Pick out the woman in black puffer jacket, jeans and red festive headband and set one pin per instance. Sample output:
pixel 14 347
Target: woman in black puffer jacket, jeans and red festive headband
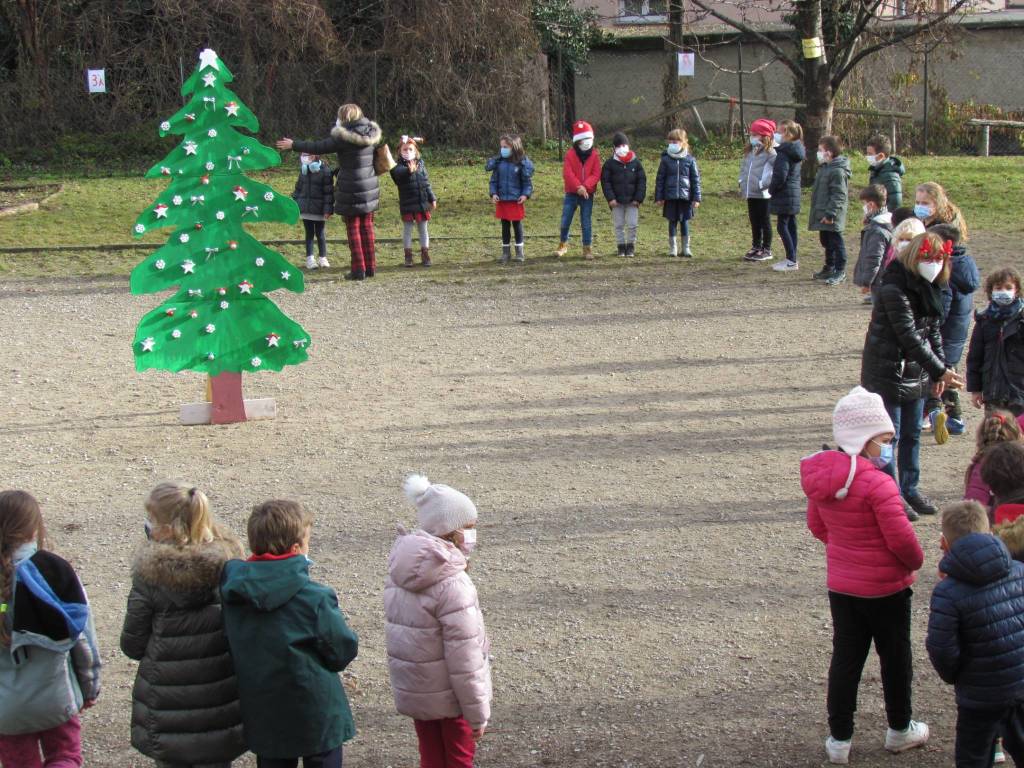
pixel 903 360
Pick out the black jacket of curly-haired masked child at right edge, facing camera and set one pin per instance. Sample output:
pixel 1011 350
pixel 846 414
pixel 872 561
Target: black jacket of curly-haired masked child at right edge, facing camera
pixel 996 360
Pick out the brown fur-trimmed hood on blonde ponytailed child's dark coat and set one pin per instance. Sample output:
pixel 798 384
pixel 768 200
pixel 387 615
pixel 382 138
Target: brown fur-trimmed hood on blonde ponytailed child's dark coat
pixel 188 570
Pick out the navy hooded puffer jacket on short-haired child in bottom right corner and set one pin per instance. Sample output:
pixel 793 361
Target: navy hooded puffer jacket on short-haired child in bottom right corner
pixel 975 636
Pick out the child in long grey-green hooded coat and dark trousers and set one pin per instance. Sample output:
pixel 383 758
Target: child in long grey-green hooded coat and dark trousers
pixel 830 200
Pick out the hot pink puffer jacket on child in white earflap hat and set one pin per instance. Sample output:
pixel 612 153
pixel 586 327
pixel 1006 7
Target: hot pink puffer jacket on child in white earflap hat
pixel 871 547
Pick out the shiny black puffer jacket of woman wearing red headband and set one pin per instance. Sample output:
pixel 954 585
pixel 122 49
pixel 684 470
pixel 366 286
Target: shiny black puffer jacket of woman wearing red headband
pixel 904 349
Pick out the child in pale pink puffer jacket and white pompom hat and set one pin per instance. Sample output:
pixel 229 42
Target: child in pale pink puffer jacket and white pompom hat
pixel 437 646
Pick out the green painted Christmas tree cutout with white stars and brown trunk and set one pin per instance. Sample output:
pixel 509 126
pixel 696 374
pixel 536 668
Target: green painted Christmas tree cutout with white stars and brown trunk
pixel 219 321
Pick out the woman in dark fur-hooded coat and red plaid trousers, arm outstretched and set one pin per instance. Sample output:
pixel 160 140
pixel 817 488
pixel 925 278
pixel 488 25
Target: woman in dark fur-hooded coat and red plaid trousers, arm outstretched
pixel 358 192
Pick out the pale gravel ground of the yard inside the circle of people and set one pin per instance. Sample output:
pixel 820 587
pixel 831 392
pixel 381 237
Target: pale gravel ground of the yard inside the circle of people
pixel 631 439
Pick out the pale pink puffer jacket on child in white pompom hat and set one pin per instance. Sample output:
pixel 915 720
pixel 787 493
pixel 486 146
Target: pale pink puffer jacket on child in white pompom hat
pixel 437 646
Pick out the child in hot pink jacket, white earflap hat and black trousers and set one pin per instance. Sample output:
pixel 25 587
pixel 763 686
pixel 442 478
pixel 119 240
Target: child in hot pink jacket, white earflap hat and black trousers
pixel 872 552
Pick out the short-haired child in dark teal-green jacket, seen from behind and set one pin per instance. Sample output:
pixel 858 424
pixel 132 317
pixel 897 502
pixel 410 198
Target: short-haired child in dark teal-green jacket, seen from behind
pixel 289 642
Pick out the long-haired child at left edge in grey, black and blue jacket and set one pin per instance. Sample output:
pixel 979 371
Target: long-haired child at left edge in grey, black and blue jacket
pixel 50 663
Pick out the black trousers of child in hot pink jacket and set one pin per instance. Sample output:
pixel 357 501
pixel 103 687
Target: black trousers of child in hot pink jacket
pixel 857 622
